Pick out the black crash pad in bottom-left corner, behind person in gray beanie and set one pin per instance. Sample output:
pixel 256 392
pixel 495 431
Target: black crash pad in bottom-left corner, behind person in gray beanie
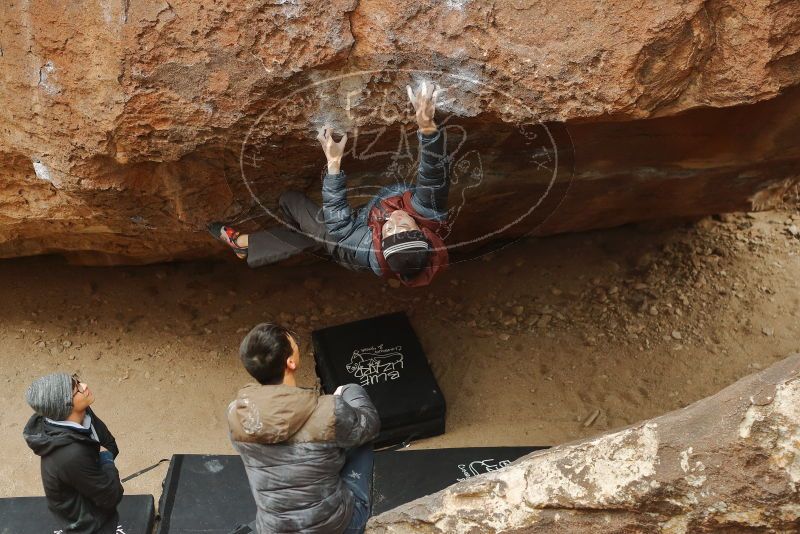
pixel 29 515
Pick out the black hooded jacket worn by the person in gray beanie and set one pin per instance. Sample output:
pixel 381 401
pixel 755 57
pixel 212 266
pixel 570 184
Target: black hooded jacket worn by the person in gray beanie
pixel 80 489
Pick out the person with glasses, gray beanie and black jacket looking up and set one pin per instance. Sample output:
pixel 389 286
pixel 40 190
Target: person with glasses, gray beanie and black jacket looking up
pixel 77 451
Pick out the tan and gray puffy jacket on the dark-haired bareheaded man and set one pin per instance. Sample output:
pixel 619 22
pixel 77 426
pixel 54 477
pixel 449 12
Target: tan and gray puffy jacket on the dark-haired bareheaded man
pixel 292 442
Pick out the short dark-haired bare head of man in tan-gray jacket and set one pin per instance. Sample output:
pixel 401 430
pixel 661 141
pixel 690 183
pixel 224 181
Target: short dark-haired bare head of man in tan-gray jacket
pixel 264 351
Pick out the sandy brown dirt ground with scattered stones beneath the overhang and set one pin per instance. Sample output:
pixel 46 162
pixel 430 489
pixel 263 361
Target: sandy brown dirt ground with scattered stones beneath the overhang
pixel 529 345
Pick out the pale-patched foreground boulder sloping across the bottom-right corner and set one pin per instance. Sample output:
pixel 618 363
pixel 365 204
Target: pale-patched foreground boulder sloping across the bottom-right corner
pixel 728 463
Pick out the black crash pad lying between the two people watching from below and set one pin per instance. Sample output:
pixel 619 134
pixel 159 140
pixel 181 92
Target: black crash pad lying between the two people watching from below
pixel 205 493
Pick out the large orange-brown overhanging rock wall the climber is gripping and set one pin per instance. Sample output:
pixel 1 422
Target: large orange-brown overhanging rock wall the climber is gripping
pixel 126 126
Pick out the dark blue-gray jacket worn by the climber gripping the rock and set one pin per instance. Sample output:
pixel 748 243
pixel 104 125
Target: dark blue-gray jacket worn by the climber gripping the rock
pixel 351 229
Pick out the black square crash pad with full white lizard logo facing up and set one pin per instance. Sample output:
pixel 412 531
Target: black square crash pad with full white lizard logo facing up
pixel 384 355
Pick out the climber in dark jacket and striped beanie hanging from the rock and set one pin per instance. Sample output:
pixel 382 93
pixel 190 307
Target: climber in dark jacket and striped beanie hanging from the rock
pixel 396 234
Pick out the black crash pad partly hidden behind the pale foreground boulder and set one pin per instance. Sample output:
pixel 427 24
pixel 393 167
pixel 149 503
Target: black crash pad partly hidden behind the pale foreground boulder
pixel 402 476
